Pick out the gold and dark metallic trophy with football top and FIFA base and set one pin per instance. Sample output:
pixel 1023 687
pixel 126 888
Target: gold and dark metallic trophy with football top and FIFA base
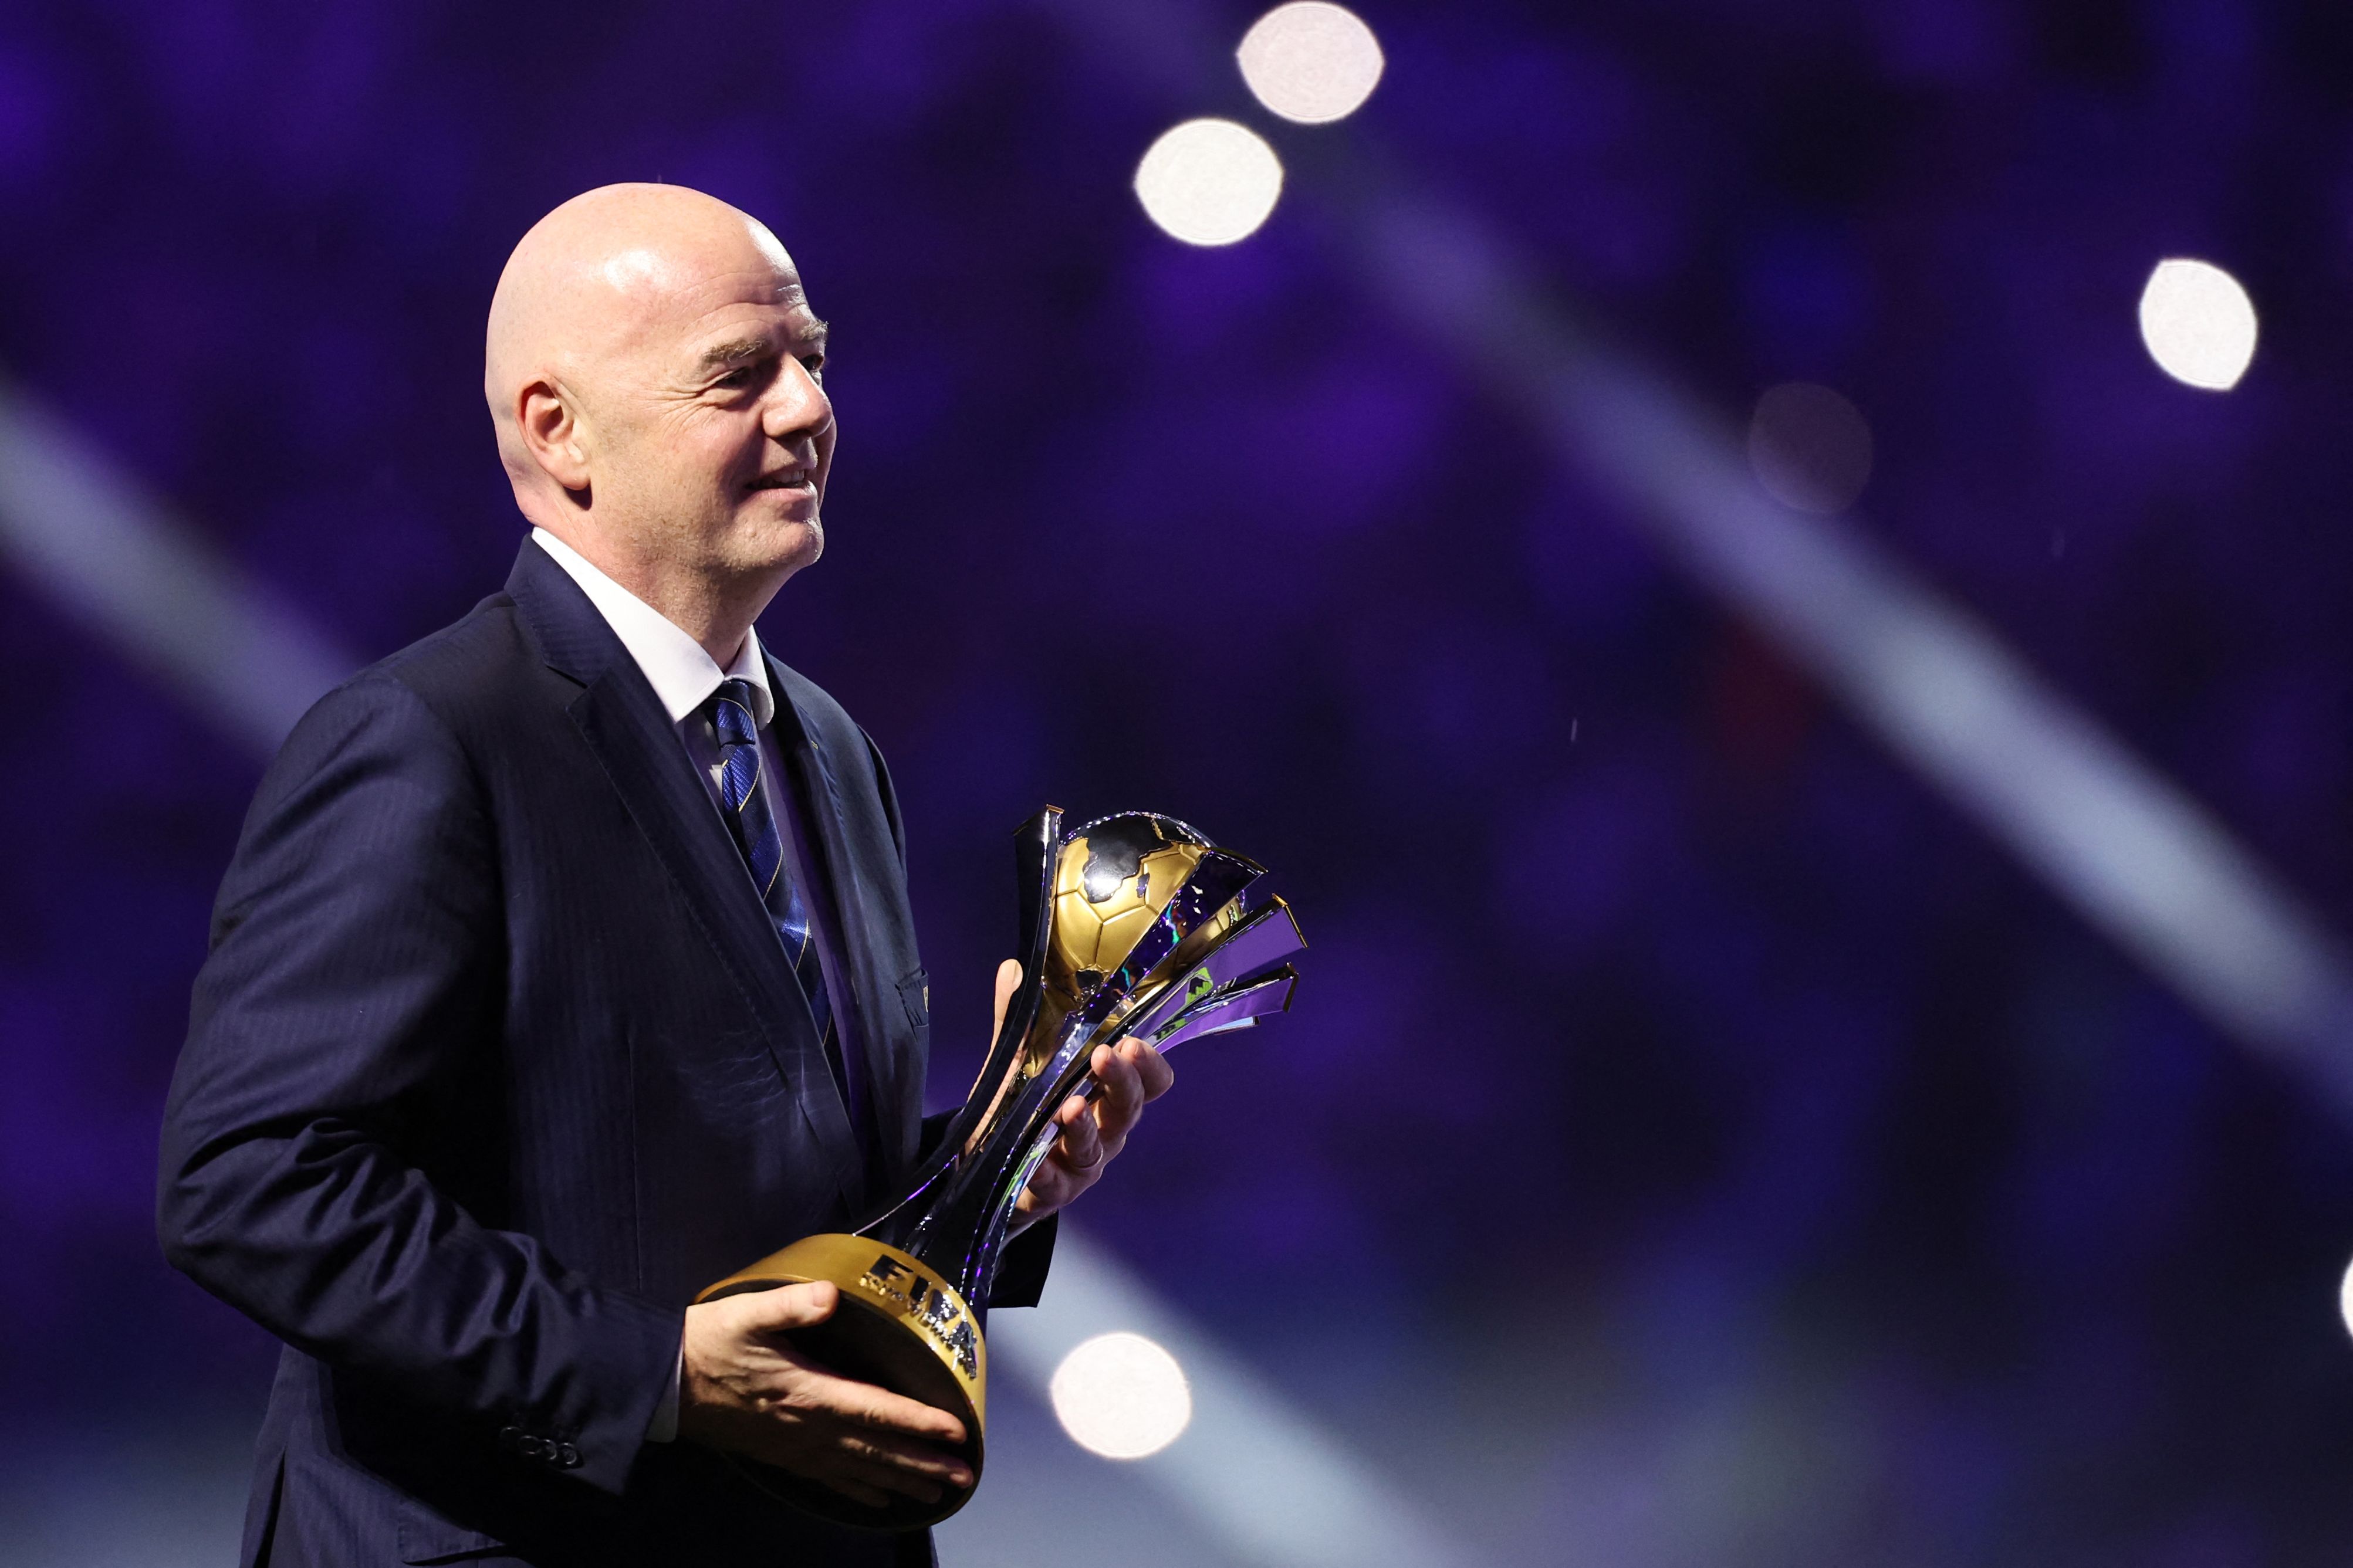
pixel 1133 927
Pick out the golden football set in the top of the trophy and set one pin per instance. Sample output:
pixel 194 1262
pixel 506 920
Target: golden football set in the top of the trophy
pixel 1114 880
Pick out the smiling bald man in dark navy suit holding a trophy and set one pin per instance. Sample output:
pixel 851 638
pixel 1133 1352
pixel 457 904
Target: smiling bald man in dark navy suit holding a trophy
pixel 566 967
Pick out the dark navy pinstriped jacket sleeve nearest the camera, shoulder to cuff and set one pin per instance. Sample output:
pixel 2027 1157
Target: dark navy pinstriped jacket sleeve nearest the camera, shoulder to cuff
pixel 356 974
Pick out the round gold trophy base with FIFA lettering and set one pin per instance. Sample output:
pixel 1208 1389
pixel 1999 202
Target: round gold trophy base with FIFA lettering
pixel 900 1327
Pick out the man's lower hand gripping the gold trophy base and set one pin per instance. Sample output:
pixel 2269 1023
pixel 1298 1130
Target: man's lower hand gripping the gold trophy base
pixel 747 1391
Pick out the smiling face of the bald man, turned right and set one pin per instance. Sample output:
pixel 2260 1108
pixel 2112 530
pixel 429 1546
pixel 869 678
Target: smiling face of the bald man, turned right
pixel 712 429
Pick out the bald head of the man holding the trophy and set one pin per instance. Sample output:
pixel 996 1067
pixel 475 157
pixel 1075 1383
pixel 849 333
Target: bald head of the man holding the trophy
pixel 655 382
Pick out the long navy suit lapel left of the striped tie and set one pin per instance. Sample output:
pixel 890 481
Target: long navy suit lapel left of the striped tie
pixel 632 737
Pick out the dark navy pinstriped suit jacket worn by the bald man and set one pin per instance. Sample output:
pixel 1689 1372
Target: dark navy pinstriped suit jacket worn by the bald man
pixel 493 1066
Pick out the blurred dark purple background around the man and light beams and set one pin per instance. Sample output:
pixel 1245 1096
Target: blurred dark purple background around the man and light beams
pixel 1695 1141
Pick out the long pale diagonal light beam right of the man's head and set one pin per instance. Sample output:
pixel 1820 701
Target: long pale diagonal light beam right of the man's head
pixel 2124 845
